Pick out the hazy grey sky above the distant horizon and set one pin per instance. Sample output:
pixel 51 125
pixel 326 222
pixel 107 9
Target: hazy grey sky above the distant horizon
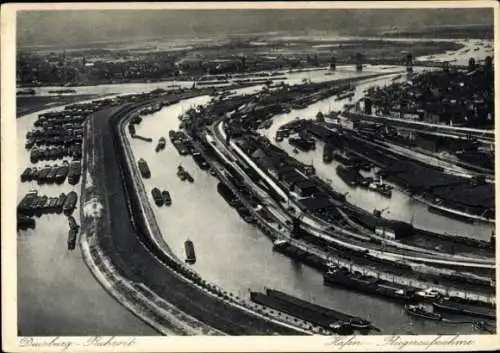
pixel 81 27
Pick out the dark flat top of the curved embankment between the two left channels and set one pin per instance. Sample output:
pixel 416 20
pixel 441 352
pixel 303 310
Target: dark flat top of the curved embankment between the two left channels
pixel 137 263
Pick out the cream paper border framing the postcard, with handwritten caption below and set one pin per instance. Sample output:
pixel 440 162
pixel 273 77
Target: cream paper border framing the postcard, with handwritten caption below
pixel 11 342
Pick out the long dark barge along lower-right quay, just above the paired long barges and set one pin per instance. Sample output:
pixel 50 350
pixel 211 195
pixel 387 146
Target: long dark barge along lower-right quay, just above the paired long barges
pixel 341 277
